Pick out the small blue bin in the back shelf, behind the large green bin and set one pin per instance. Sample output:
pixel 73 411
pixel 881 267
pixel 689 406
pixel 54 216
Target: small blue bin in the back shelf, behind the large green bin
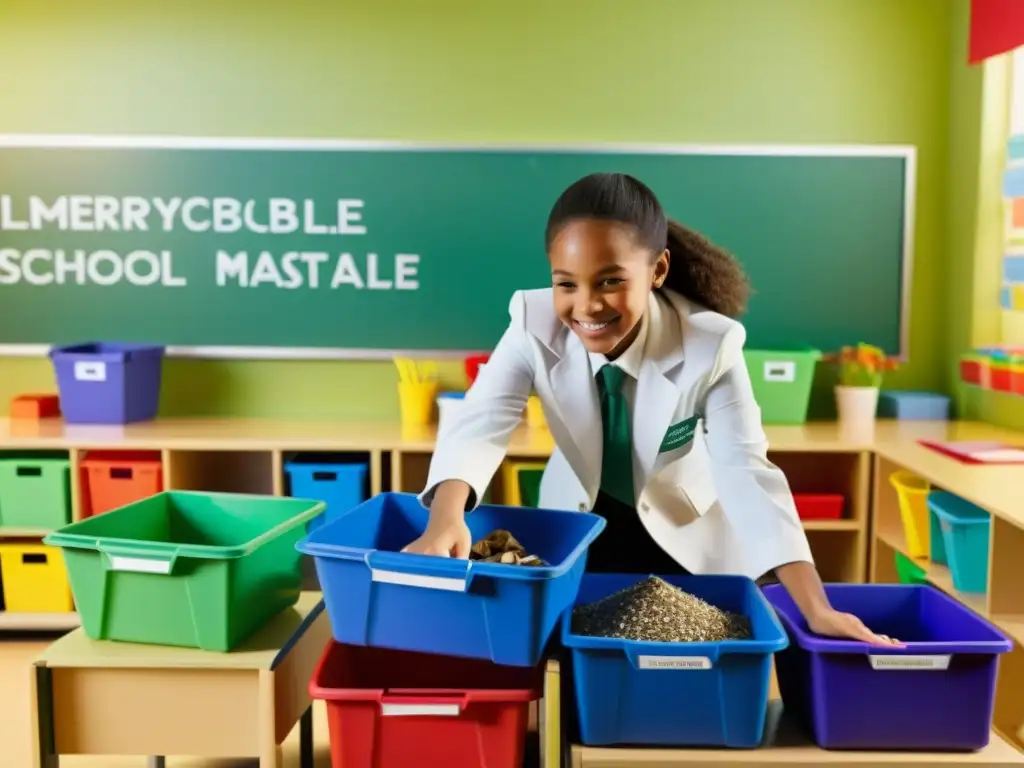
pixel 342 486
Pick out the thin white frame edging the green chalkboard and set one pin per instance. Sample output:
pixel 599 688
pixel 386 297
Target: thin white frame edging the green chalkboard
pixel 907 153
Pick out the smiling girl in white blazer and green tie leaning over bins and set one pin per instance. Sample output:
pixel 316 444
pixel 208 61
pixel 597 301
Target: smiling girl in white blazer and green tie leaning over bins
pixel 637 360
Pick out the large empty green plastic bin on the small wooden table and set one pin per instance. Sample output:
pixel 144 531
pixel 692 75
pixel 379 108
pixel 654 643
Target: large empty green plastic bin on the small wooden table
pixel 186 569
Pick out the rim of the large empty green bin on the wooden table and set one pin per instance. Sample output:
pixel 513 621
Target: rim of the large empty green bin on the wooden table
pixel 67 537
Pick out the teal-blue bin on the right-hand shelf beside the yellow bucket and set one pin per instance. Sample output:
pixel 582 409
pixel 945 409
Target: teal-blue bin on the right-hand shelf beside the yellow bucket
pixel 965 535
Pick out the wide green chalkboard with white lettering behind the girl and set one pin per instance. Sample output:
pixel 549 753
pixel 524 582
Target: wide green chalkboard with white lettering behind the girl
pixel 337 249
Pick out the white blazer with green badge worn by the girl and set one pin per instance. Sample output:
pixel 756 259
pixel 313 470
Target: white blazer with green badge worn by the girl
pixel 706 491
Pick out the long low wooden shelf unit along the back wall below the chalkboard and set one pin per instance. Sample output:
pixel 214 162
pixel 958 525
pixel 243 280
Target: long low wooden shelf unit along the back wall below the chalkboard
pixel 249 456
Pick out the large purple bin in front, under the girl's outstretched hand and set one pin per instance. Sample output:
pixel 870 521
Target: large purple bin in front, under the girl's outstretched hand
pixel 935 695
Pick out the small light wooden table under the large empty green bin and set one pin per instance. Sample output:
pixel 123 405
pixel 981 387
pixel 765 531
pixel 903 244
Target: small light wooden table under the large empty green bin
pixel 102 698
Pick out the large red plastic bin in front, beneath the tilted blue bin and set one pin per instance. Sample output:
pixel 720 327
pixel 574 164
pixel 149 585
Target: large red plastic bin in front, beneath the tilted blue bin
pixel 389 709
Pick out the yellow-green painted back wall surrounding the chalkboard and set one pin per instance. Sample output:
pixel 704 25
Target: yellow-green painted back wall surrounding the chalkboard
pixel 817 71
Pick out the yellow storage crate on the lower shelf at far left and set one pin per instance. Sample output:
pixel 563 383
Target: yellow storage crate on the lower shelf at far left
pixel 34 579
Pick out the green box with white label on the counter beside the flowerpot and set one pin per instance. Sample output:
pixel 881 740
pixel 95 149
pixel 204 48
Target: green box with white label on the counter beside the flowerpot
pixel 783 382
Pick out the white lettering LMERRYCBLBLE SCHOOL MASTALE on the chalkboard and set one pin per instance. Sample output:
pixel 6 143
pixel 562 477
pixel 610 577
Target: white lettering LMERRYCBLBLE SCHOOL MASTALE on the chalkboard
pixel 295 266
